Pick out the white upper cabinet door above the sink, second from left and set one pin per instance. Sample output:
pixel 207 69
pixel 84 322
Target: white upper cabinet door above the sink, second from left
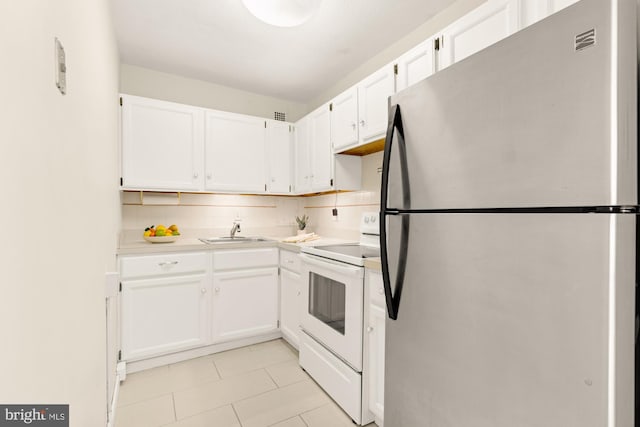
pixel 235 153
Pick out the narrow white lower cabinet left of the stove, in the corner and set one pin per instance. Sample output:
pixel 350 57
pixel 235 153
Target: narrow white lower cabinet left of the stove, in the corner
pixel 290 301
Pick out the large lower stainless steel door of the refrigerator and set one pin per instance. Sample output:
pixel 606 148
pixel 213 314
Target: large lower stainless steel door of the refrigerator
pixel 510 320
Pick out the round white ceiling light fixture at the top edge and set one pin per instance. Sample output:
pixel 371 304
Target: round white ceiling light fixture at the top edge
pixel 282 13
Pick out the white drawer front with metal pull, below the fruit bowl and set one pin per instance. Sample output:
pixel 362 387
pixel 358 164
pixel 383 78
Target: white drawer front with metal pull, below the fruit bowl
pixel 154 265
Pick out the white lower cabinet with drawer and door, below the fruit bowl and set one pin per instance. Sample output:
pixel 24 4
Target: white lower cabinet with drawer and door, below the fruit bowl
pixel 164 309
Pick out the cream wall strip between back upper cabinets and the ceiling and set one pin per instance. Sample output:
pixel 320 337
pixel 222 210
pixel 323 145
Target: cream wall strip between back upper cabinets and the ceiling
pixel 140 81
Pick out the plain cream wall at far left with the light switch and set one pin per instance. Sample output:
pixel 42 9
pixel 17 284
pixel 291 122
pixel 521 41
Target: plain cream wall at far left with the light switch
pixel 60 211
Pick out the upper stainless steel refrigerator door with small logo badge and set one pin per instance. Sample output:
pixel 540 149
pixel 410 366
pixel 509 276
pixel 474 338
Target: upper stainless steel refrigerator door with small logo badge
pixel 536 120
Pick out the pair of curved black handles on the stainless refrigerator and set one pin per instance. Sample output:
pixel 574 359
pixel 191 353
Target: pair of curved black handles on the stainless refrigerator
pixel 392 296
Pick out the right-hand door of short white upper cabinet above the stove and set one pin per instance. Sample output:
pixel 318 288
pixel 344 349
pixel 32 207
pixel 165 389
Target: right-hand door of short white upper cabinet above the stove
pixel 373 105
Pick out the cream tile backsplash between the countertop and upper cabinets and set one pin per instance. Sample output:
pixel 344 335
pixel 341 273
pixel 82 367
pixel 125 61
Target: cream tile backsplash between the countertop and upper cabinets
pixel 259 215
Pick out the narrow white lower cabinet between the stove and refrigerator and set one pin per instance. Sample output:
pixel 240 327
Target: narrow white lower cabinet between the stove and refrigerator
pixel 374 336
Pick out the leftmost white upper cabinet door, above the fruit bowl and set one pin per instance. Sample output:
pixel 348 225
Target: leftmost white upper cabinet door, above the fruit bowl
pixel 161 145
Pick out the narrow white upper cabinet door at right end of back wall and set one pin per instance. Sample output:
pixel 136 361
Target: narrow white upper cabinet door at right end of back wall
pixel 279 155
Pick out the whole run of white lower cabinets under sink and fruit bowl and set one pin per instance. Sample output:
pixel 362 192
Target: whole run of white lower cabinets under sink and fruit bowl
pixel 183 301
